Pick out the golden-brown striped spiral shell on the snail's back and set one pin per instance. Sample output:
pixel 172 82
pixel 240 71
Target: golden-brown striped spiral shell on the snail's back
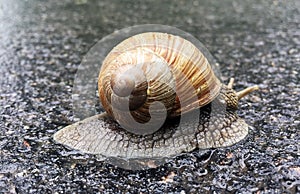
pixel 159 64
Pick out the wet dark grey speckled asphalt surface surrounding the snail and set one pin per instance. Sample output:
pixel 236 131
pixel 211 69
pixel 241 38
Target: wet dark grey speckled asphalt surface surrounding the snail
pixel 43 43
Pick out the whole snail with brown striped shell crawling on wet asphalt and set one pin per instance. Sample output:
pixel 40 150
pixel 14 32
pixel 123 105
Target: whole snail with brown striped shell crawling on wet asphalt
pixel 161 98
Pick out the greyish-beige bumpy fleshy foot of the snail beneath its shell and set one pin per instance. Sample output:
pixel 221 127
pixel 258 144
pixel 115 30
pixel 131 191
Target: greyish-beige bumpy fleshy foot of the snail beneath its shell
pixel 102 135
